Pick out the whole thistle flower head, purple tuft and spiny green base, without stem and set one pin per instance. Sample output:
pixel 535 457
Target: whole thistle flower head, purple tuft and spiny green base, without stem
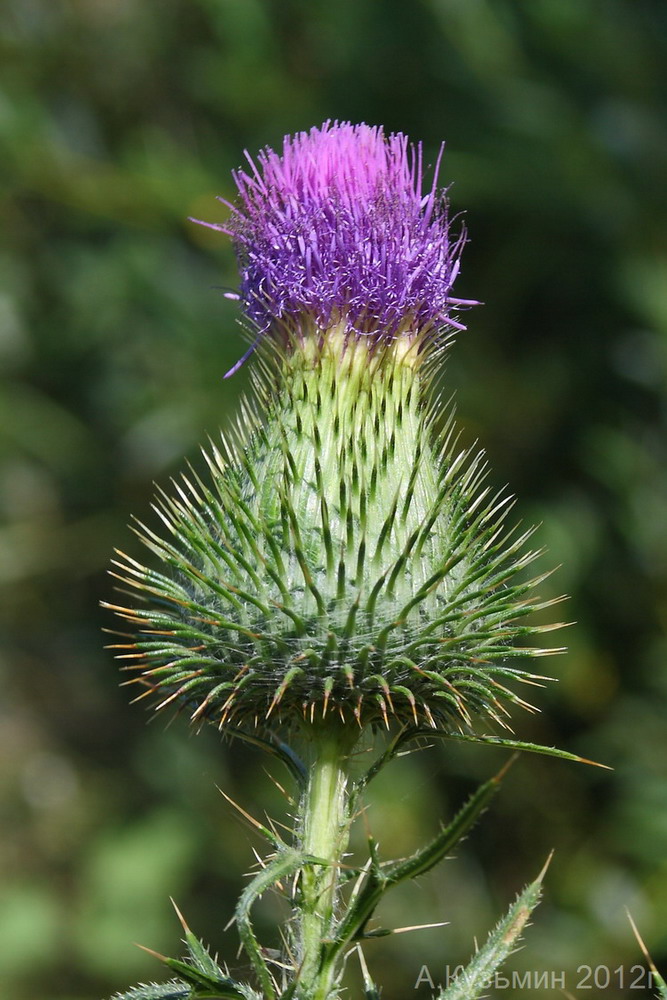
pixel 343 558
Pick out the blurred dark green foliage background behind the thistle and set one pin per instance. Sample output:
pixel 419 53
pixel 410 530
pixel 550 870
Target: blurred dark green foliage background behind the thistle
pixel 119 119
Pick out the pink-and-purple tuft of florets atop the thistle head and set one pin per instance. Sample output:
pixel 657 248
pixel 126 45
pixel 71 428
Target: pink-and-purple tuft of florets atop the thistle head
pixel 337 230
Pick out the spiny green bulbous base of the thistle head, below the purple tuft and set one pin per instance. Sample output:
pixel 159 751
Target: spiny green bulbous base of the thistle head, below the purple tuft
pixel 342 557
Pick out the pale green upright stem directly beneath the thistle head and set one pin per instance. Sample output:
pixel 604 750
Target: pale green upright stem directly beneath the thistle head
pixel 325 832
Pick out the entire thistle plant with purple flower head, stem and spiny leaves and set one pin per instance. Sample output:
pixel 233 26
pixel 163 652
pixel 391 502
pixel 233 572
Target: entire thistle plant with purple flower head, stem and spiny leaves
pixel 342 577
